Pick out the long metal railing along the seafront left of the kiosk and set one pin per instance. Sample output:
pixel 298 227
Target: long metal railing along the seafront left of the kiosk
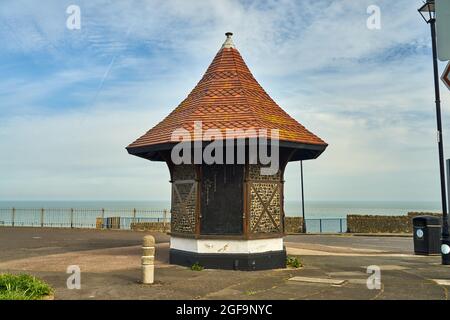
pixel 80 218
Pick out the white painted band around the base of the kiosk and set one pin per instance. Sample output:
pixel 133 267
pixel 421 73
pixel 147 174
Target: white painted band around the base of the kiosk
pixel 226 246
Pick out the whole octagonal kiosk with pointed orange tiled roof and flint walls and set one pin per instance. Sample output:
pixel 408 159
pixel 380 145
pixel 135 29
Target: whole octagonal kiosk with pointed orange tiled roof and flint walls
pixel 228 214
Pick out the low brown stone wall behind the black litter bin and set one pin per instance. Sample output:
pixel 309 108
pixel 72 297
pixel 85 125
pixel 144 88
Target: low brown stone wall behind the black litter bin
pixel 382 224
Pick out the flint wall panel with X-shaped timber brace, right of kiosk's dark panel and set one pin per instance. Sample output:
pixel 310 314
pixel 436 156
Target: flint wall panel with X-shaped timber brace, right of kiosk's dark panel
pixel 265 201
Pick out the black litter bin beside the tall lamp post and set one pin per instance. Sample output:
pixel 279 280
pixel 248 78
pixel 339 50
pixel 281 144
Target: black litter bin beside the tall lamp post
pixel 427 235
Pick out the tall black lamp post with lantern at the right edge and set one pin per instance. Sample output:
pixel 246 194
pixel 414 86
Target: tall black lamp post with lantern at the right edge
pixel 428 13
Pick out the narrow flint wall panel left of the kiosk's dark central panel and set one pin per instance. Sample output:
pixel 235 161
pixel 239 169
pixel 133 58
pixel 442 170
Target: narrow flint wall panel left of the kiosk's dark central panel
pixel 184 195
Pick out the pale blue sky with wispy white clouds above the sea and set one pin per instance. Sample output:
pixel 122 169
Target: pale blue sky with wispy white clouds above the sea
pixel 72 100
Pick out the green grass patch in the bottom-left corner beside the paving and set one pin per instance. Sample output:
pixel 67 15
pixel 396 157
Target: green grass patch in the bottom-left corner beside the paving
pixel 22 287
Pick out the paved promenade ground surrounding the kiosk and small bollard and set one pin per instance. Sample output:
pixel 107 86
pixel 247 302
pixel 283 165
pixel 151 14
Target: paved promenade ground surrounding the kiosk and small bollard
pixel 334 268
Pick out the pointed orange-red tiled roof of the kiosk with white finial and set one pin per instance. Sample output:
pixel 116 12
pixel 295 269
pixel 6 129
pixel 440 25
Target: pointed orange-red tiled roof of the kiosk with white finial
pixel 228 97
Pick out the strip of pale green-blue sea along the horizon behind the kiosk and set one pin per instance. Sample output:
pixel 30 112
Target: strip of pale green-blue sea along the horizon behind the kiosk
pixel 313 209
